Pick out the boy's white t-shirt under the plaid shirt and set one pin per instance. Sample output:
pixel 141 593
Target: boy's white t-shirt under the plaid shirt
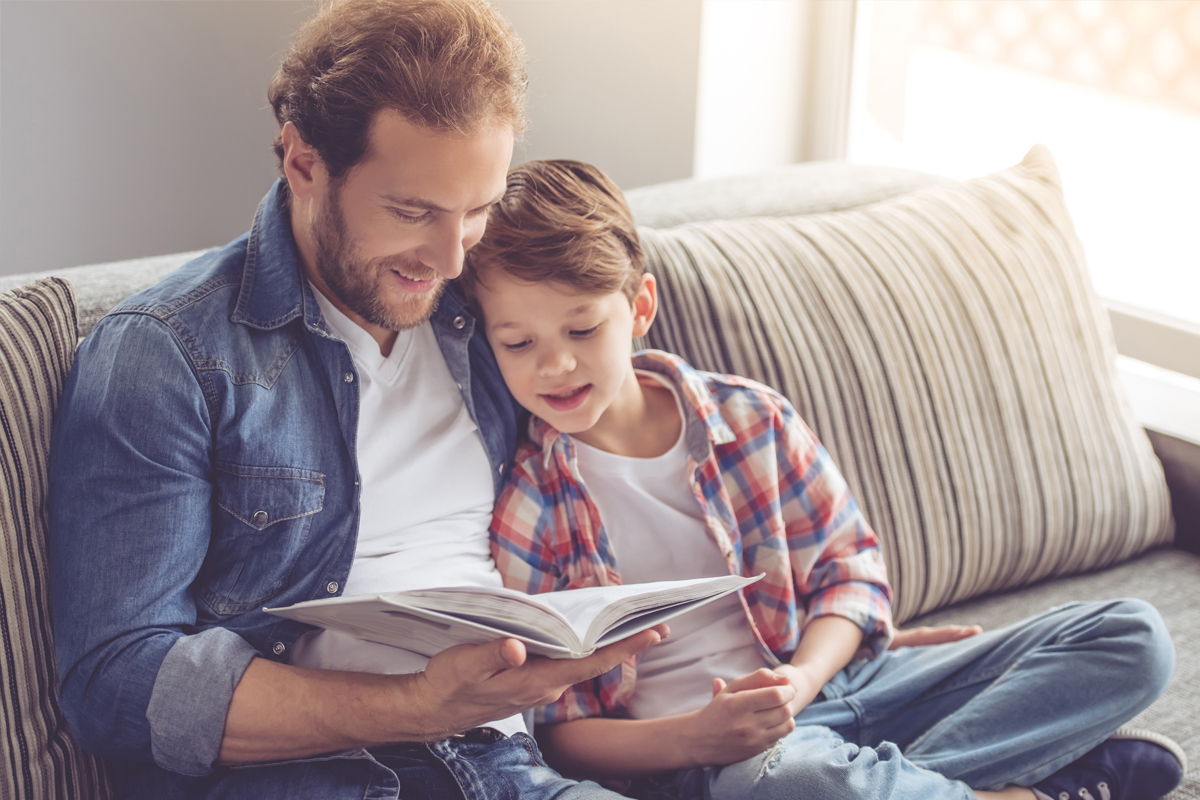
pixel 658 533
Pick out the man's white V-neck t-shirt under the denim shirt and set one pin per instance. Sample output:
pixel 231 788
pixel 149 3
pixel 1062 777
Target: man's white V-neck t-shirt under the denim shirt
pixel 428 491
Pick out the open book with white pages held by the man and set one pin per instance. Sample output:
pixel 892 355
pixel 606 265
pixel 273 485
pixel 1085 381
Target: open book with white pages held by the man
pixel 559 624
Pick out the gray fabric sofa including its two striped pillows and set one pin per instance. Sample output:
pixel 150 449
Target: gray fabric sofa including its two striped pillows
pixel 941 339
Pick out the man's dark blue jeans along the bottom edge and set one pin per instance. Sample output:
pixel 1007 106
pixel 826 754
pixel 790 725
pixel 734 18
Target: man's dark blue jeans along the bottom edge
pixel 508 769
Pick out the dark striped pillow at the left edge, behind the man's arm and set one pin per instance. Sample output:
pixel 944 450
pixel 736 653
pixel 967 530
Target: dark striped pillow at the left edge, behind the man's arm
pixel 41 760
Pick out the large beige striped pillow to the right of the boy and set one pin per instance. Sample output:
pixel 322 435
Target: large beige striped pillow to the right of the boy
pixel 949 351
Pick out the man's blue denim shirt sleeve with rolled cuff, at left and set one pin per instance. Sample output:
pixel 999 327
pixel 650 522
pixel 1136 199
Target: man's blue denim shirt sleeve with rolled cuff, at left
pixel 130 513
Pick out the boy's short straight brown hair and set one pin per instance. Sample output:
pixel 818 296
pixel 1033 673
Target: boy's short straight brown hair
pixel 560 221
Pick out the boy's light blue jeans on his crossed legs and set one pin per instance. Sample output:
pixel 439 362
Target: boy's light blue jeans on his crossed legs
pixel 1007 707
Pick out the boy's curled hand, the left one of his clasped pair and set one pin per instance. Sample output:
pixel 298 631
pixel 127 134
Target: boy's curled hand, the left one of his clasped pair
pixel 745 718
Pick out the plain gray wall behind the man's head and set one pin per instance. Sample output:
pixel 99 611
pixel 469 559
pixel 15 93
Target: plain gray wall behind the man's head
pixel 135 129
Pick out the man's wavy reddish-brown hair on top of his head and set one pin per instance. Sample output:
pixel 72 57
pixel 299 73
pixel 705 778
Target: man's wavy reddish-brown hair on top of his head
pixel 448 65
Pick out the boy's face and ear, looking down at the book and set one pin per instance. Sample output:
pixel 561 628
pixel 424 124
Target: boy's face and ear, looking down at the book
pixel 566 356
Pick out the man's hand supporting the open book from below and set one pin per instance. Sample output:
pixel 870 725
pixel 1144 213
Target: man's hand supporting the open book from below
pixel 469 685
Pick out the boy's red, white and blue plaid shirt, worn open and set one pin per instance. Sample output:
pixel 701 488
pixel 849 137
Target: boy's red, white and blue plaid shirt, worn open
pixel 773 503
